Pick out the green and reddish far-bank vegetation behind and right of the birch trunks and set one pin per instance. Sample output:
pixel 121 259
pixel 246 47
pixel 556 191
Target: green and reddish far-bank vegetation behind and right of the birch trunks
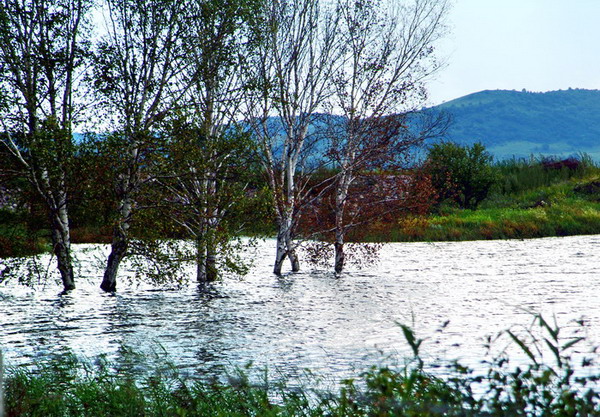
pixel 519 198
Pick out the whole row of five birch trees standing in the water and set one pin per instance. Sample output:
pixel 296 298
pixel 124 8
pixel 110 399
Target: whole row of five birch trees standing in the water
pixel 188 96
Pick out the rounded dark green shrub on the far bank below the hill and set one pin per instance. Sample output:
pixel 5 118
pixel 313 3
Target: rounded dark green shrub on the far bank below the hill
pixel 463 174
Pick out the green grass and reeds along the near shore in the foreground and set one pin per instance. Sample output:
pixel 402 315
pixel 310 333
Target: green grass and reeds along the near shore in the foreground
pixel 548 386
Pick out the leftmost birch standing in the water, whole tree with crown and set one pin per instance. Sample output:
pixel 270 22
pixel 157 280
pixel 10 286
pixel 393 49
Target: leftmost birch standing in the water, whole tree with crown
pixel 42 57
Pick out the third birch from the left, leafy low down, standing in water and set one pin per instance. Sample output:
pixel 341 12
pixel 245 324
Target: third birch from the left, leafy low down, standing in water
pixel 211 154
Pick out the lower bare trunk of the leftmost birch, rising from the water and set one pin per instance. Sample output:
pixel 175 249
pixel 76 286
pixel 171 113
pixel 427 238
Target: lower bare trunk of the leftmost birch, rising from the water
pixel 61 246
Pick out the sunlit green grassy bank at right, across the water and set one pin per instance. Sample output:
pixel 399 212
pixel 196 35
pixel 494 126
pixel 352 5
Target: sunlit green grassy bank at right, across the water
pixel 528 201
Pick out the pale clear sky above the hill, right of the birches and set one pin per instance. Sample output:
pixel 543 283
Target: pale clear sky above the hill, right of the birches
pixel 539 45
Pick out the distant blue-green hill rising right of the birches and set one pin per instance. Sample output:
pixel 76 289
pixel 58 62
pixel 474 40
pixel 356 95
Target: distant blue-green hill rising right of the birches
pixel 522 123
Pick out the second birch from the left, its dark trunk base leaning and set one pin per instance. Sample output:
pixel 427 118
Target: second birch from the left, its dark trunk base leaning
pixel 137 66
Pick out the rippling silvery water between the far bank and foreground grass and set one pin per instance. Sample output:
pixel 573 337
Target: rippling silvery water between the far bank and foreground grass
pixel 335 326
